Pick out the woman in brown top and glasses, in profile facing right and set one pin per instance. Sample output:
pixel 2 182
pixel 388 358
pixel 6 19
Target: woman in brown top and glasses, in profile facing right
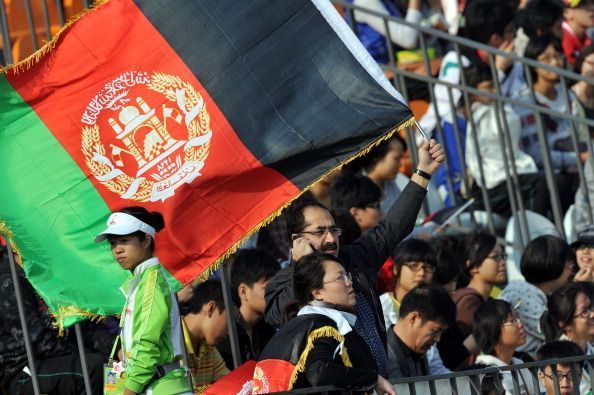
pixel 484 268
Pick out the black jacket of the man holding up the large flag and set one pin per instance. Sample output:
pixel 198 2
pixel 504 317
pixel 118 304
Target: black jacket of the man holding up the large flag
pixel 363 258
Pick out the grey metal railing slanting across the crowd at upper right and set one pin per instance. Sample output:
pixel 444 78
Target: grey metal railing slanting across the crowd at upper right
pixel 402 77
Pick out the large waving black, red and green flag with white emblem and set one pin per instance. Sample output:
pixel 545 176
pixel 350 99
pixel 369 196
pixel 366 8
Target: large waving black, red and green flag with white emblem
pixel 215 113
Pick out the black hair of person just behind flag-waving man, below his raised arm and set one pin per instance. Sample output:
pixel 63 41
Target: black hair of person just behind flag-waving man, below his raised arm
pixel 353 190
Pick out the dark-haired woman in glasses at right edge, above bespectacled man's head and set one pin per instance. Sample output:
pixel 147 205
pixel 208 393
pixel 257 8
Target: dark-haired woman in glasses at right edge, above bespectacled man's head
pixel 569 317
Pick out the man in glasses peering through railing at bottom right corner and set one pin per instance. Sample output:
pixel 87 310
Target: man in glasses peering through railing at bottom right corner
pixel 565 372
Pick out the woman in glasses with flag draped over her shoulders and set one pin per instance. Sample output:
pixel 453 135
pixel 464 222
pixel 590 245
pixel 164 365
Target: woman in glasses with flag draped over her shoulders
pixel 318 345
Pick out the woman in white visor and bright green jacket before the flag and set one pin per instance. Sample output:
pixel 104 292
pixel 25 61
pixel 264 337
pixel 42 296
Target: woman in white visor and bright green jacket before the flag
pixel 152 339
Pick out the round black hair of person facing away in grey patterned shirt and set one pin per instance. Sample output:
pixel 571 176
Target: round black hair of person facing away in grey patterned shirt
pixel 544 259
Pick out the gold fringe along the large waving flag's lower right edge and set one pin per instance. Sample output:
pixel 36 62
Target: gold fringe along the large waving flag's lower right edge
pixel 212 268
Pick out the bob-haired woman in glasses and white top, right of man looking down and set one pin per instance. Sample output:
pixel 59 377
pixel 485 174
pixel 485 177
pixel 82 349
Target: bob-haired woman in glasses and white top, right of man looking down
pixel 499 332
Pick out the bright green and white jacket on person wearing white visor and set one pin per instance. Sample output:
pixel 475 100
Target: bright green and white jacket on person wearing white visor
pixel 151 329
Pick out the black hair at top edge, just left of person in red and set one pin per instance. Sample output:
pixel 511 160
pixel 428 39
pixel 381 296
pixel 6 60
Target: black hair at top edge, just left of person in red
pixel 539 16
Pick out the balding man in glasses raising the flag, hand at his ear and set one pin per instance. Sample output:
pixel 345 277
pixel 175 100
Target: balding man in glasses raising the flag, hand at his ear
pixel 312 228
